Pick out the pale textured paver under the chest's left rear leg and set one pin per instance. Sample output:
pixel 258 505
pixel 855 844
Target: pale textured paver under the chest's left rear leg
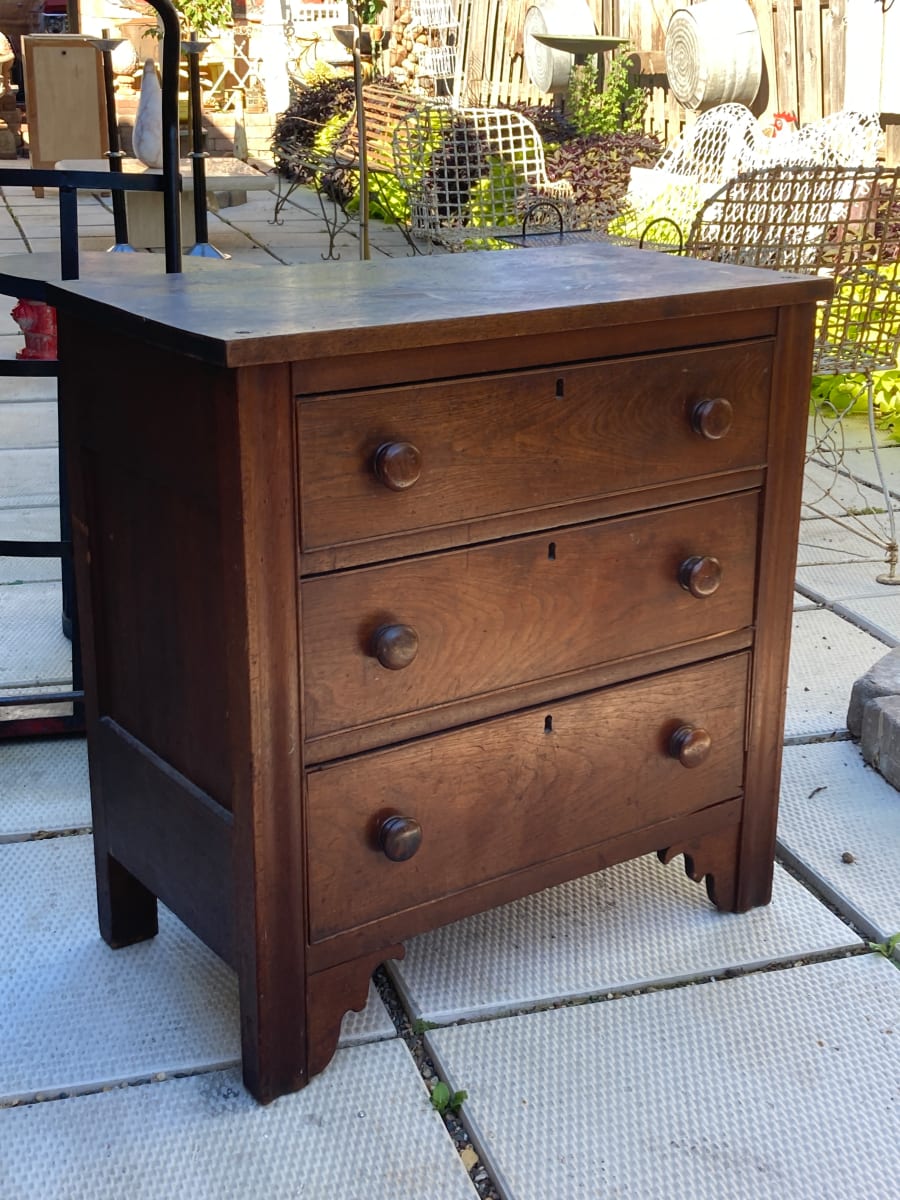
pixel 79 1016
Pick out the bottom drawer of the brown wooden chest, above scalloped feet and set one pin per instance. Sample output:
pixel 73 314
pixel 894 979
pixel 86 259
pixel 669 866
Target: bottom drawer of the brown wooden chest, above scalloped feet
pixel 515 791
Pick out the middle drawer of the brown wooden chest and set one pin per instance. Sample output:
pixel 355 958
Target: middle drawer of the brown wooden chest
pixel 391 640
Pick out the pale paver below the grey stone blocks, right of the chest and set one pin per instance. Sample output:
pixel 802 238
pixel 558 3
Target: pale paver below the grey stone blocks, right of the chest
pixel 833 805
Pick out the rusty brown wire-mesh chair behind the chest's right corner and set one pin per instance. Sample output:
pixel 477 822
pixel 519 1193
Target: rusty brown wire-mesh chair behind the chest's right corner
pixel 837 221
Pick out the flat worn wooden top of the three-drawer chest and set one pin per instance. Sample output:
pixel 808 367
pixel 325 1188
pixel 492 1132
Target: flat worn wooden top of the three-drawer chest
pixel 251 316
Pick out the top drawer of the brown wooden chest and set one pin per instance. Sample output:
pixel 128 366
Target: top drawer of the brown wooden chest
pixel 502 445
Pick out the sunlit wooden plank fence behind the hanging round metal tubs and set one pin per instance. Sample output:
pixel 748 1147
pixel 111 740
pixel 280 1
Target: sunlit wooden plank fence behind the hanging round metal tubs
pixel 819 57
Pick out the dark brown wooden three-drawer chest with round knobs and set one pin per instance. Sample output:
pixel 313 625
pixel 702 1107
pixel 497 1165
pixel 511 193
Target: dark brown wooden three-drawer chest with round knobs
pixel 411 589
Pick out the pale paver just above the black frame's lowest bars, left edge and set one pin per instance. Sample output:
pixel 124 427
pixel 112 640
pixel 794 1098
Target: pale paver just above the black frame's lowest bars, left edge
pixel 33 647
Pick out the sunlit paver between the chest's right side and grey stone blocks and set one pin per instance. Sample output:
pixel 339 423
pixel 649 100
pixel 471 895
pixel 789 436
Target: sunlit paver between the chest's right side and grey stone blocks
pixel 827 656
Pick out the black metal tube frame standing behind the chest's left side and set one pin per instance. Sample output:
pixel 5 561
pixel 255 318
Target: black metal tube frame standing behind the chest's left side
pixel 69 183
